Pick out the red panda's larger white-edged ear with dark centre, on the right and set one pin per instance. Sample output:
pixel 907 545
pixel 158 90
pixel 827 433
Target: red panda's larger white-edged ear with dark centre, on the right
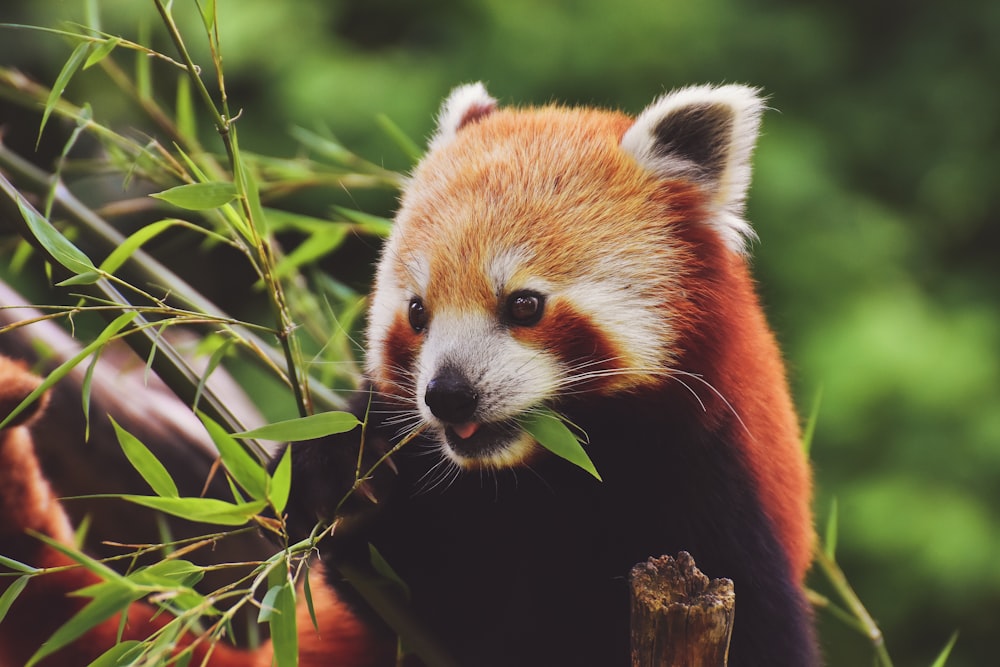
pixel 704 134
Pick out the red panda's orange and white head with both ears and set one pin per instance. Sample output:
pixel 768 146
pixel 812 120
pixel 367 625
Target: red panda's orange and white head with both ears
pixel 536 257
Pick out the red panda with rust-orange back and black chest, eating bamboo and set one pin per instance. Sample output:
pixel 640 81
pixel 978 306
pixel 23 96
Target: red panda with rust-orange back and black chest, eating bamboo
pixel 593 264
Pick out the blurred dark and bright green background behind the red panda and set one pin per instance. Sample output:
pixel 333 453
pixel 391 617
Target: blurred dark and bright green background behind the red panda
pixel 875 197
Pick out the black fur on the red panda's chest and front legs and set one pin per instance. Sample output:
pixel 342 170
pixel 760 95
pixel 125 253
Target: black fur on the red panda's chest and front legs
pixel 528 566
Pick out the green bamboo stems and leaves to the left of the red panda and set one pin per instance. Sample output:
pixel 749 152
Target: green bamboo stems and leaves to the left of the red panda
pixel 216 198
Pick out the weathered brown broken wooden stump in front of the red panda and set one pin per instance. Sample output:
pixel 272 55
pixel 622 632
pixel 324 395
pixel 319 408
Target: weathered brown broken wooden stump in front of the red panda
pixel 679 617
